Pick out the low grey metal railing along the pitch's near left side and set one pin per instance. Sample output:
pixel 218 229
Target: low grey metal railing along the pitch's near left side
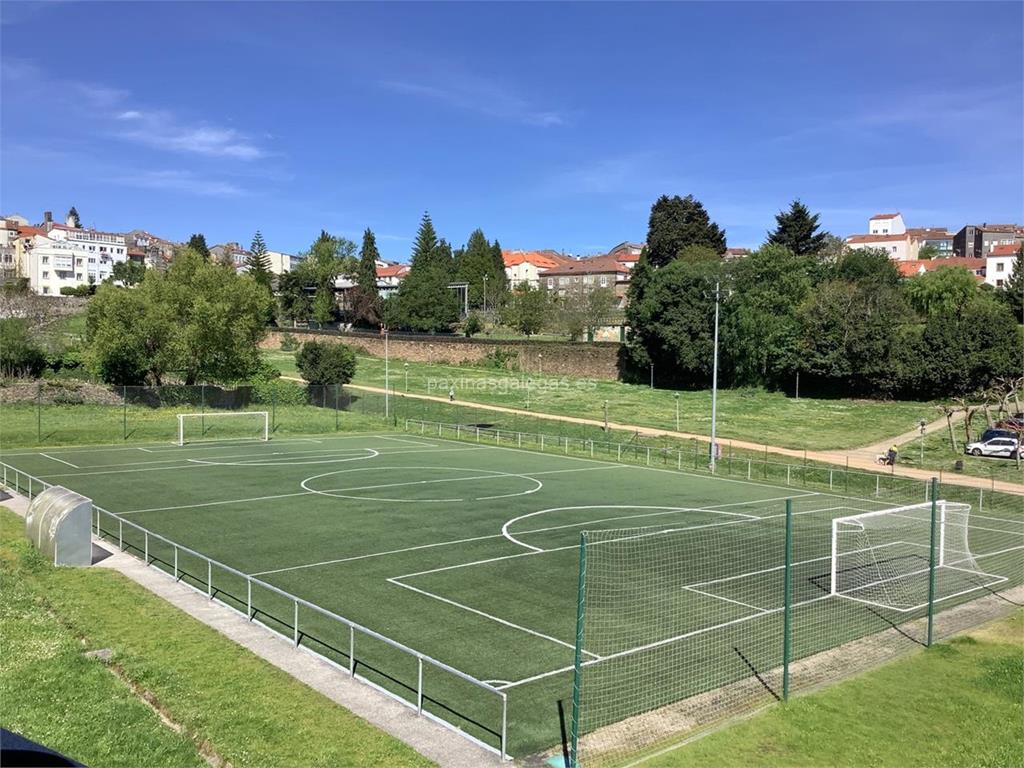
pixel 131 536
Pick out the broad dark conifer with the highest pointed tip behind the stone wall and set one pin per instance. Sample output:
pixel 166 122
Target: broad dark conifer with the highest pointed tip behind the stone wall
pixel 424 302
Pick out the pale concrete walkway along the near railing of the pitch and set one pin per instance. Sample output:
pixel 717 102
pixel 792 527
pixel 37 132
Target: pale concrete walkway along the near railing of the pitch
pixel 435 742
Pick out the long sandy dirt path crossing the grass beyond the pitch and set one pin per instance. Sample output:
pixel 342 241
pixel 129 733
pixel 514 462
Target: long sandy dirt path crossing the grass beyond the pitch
pixel 864 459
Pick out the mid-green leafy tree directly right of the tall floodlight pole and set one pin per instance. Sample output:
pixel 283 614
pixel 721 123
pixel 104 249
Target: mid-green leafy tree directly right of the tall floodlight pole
pixel 761 330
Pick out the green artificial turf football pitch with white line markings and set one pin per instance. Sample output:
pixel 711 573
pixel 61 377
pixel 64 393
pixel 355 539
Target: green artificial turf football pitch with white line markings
pixel 466 553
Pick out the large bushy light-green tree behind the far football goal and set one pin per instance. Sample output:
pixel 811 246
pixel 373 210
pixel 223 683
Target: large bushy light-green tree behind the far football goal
pixel 199 319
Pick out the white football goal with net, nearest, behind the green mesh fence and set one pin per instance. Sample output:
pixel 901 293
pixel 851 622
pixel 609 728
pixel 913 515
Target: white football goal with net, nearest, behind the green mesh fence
pixel 884 559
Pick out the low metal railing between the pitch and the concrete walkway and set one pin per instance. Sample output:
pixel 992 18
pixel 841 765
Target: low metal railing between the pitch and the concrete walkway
pixel 29 486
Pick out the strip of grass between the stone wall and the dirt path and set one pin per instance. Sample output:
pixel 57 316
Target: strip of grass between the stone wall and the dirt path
pixel 756 415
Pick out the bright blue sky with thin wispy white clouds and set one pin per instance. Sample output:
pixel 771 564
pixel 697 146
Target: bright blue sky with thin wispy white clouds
pixel 547 125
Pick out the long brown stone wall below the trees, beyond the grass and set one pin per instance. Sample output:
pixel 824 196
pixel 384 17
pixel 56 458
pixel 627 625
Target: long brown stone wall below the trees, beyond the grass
pixel 596 361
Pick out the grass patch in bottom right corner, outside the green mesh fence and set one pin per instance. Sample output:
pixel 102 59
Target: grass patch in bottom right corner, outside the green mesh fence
pixel 958 704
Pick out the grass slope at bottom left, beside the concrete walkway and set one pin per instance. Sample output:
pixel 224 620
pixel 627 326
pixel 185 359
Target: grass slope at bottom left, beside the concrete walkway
pixel 245 710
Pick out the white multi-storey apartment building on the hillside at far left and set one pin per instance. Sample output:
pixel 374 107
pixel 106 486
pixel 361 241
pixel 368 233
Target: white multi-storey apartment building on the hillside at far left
pixel 77 259
